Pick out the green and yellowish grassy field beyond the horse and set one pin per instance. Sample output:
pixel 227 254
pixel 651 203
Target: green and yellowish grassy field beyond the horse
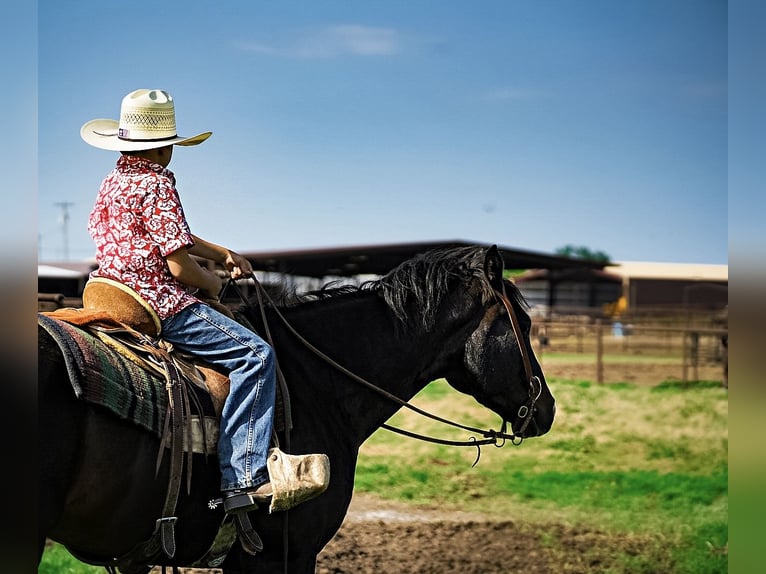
pixel 631 460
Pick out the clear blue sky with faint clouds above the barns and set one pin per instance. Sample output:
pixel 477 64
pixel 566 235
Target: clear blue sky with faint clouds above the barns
pixel 528 124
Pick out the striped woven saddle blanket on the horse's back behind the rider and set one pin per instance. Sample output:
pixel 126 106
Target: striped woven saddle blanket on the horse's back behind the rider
pixel 102 376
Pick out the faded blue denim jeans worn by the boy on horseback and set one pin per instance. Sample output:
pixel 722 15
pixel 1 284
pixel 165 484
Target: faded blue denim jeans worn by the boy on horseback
pixel 248 413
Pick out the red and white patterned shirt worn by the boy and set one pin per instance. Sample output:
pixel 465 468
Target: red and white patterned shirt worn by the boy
pixel 136 221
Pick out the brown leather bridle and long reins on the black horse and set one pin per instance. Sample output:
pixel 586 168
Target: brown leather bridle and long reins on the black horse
pixel 496 438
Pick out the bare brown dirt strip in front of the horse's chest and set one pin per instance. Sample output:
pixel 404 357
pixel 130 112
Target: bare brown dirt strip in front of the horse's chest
pixel 385 536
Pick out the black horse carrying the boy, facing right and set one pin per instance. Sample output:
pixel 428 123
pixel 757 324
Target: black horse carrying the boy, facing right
pixel 438 315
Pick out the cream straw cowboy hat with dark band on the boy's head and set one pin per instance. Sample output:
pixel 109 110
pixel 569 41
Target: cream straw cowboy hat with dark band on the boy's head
pixel 147 121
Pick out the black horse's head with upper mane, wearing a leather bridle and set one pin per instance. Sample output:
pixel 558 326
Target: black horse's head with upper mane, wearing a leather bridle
pixel 458 298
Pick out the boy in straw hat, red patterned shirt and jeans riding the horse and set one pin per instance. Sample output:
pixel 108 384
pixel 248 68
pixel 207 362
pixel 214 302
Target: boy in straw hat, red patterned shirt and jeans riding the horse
pixel 144 242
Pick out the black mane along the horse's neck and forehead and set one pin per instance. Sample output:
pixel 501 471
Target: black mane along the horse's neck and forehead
pixel 415 289
